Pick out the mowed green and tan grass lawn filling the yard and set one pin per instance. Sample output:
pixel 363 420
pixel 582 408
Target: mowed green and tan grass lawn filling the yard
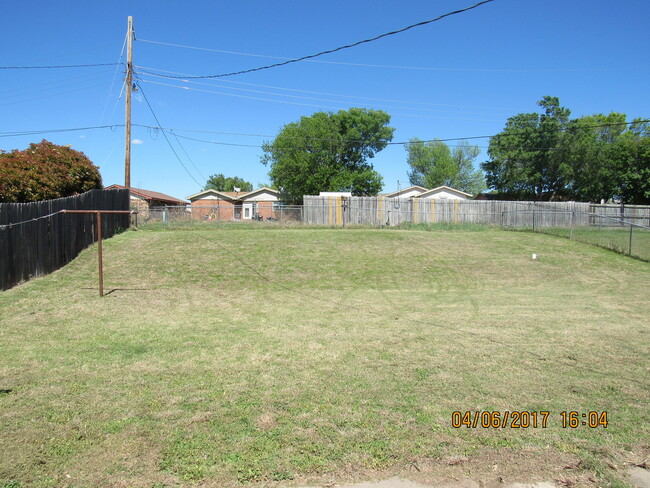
pixel 266 355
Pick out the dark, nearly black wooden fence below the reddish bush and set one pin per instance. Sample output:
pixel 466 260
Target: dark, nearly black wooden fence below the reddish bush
pixel 38 238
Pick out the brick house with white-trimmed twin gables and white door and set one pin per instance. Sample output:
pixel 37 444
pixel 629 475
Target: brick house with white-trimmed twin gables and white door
pixel 258 204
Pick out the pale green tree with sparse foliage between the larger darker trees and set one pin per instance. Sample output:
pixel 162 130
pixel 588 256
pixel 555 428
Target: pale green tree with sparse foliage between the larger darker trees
pixel 434 164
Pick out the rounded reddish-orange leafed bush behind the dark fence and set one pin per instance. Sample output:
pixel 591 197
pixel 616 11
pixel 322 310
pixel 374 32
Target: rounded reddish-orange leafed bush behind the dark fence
pixel 44 171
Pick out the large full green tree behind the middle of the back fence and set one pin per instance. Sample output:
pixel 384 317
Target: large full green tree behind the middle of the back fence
pixel 328 152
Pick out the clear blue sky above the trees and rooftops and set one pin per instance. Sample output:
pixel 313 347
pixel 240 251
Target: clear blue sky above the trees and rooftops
pixel 460 77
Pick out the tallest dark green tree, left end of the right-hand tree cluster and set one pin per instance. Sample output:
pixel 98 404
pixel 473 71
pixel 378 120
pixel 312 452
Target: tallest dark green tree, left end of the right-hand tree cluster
pixel 528 158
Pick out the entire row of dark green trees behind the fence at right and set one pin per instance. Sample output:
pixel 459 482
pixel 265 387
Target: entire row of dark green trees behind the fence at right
pixel 550 156
